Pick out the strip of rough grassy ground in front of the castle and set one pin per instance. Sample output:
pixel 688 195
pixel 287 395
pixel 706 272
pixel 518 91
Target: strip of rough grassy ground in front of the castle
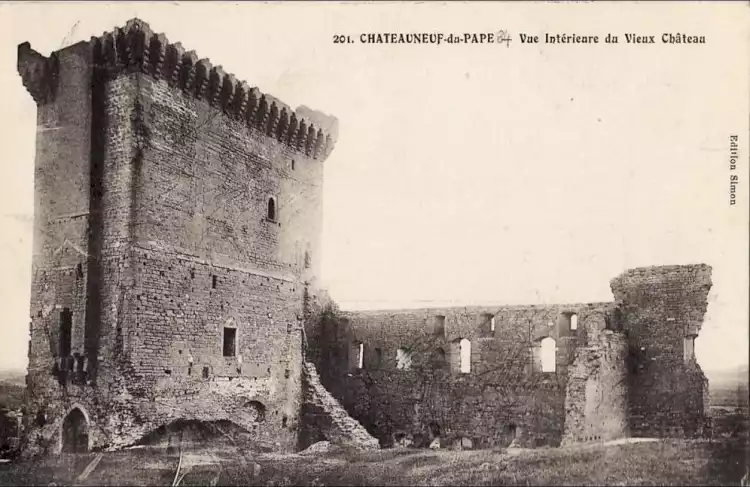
pixel 658 463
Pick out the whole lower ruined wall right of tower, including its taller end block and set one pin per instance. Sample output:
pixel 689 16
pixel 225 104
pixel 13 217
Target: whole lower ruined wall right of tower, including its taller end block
pixel 411 376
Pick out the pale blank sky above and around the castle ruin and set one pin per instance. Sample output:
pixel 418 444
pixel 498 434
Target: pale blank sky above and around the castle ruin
pixel 472 174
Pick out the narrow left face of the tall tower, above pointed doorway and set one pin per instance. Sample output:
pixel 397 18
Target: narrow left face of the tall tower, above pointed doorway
pixel 61 253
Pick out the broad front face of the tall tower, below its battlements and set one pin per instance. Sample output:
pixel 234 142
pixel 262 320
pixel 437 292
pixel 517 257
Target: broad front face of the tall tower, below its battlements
pixel 205 257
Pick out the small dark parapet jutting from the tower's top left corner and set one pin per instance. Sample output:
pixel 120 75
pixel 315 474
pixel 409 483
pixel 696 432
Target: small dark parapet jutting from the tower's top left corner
pixel 38 73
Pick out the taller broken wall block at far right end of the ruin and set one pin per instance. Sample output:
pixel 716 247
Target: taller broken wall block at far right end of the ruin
pixel 662 308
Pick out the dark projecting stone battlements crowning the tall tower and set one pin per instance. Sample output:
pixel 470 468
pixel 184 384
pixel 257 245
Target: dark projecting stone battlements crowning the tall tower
pixel 135 48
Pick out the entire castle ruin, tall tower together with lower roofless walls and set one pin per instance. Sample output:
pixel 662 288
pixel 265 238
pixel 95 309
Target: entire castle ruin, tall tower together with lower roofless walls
pixel 176 254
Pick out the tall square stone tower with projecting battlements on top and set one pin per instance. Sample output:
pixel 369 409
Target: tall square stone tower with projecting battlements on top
pixel 177 235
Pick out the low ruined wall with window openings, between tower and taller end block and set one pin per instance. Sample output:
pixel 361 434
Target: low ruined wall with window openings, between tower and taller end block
pixel 505 396
